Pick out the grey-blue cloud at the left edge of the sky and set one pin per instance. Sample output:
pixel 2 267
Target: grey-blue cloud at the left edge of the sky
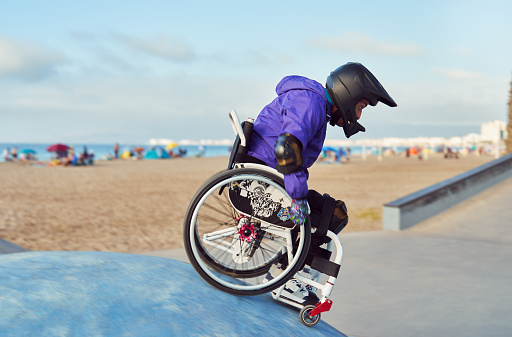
pixel 27 61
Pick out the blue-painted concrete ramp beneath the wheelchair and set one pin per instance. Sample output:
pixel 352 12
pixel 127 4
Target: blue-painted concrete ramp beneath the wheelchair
pixel 114 294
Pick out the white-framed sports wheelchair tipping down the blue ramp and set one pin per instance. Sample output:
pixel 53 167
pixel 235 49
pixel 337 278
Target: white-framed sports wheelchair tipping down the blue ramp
pixel 236 229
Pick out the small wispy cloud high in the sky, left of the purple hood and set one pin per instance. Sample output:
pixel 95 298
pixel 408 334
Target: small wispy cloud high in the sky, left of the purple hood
pixel 163 46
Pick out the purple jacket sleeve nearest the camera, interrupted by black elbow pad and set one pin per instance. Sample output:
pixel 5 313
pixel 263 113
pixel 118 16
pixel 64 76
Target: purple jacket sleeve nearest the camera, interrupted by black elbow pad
pixel 302 113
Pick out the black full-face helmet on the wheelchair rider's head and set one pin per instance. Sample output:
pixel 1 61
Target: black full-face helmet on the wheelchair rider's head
pixel 347 85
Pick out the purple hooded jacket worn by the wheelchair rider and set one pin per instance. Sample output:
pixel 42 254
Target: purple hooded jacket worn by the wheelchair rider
pixel 301 109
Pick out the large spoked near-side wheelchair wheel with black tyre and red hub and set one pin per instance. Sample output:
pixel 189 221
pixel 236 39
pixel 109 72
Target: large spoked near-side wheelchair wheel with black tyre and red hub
pixel 236 228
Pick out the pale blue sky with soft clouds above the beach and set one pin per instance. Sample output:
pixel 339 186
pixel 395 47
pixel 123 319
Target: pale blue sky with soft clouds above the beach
pixel 128 71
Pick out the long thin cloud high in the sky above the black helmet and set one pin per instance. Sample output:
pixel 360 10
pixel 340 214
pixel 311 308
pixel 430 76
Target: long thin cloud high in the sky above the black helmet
pixel 357 42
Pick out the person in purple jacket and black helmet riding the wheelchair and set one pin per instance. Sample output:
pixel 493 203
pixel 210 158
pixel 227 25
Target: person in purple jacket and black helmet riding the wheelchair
pixel 290 131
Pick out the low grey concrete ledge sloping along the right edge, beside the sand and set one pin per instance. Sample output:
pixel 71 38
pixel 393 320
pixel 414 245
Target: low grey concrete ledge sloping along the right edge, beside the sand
pixel 416 207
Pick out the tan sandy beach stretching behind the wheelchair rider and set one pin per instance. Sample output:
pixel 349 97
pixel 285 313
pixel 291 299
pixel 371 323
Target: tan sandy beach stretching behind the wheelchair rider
pixel 139 205
